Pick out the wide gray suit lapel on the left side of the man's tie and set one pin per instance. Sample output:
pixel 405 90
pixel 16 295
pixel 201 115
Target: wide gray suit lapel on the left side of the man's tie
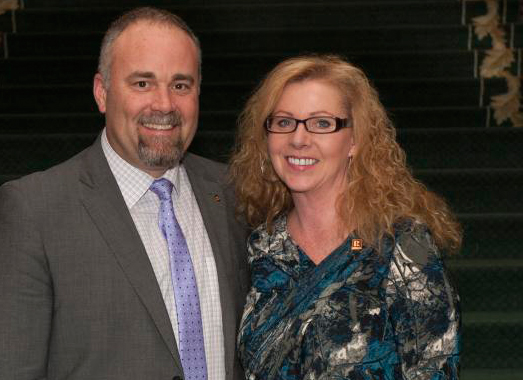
pixel 105 204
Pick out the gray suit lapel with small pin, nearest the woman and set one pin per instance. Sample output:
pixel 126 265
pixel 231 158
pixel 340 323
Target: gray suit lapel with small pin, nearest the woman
pixel 212 204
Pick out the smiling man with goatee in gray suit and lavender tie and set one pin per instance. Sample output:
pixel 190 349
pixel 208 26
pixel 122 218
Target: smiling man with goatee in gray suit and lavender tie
pixel 87 289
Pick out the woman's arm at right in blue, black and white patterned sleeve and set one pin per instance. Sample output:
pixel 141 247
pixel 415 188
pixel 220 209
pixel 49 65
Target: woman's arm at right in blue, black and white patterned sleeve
pixel 424 308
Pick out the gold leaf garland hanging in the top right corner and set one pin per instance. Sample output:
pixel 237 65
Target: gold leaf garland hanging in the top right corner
pixel 497 63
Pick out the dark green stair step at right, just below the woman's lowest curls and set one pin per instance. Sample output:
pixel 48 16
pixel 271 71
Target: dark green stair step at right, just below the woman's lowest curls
pixel 488 285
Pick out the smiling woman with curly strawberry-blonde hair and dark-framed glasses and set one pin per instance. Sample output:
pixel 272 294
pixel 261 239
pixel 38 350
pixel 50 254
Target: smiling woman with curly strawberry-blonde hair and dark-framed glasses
pixel 347 274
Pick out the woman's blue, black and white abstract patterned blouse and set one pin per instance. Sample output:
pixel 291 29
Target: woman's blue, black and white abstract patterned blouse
pixel 358 314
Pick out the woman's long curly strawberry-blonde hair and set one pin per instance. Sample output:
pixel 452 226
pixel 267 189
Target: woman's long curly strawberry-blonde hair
pixel 380 188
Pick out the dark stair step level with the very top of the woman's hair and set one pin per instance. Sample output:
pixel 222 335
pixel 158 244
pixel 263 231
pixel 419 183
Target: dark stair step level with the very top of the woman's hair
pixel 252 67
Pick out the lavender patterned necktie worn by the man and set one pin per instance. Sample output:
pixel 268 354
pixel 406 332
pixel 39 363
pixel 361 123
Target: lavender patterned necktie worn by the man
pixel 190 331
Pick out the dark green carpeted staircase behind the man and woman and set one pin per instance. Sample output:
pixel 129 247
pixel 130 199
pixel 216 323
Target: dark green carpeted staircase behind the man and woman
pixel 422 56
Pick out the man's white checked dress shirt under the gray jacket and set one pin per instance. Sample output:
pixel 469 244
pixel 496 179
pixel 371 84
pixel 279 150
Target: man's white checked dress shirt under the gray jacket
pixel 144 207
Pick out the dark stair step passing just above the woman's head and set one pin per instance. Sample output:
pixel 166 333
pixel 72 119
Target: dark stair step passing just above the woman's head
pixel 273 41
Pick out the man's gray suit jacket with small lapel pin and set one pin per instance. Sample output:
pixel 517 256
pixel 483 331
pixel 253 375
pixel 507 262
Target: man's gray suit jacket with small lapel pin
pixel 78 296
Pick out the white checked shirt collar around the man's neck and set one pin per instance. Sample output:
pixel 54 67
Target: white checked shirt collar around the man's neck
pixel 133 182
